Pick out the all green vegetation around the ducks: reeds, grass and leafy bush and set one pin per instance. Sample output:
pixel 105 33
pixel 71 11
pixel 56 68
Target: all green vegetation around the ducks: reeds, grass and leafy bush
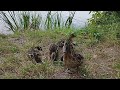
pixel 99 43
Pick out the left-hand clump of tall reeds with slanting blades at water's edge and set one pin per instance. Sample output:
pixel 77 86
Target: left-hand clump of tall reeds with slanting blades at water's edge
pixel 20 20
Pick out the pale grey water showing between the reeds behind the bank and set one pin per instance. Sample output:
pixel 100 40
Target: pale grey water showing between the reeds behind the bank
pixel 79 20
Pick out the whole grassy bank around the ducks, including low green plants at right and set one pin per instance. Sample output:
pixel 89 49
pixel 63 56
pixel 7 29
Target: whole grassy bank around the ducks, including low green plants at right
pixel 100 49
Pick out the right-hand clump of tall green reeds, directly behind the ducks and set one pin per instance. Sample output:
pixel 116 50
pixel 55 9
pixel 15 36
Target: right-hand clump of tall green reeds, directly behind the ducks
pixel 55 20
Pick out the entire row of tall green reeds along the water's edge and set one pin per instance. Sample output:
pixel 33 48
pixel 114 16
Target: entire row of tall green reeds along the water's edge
pixel 24 20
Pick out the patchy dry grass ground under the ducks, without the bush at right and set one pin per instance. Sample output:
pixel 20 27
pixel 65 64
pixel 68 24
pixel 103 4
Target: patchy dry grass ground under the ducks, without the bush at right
pixel 101 61
